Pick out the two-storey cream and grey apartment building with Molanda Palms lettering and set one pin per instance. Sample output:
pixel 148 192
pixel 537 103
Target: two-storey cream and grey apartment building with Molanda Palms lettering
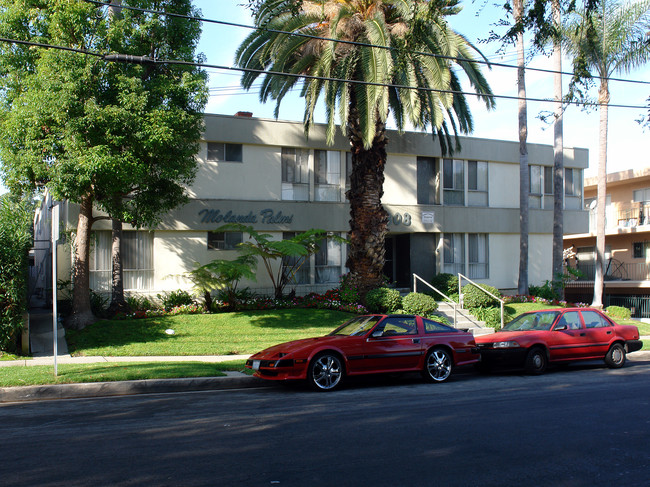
pixel 452 215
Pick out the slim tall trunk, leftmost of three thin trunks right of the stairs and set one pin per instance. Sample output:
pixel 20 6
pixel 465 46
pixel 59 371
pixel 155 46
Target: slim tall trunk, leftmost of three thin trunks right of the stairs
pixel 524 179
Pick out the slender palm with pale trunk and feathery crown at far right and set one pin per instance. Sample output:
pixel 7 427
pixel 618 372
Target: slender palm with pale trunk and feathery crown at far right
pixel 604 43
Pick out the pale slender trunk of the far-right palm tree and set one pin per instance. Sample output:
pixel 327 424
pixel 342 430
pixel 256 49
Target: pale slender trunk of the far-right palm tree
pixel 599 279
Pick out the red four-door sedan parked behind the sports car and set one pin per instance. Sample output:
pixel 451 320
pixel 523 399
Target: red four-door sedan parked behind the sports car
pixel 535 339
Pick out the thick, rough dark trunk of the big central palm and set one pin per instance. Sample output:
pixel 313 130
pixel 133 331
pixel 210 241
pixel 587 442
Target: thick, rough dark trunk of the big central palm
pixel 368 218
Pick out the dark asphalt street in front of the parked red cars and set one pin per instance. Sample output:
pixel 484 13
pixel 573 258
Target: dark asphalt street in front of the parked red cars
pixel 577 426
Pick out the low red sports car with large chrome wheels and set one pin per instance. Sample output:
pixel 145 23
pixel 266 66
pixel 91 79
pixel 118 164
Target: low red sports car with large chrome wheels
pixel 369 344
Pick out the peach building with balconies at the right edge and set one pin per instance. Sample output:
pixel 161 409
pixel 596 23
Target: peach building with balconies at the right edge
pixel 627 243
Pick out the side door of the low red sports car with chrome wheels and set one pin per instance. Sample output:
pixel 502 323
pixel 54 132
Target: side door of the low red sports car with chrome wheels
pixel 394 344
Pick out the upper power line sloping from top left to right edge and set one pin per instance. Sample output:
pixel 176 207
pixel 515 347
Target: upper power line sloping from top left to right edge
pixel 354 43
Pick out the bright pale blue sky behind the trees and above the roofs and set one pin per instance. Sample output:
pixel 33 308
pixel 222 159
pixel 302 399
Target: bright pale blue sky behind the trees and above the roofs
pixel 628 143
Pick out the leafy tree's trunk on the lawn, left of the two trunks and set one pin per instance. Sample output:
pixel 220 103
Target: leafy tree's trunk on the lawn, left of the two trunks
pixel 81 312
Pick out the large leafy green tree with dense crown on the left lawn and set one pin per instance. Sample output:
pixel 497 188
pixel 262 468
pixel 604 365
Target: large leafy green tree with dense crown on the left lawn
pixel 121 137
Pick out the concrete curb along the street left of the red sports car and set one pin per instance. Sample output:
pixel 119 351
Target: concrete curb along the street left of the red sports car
pixel 234 380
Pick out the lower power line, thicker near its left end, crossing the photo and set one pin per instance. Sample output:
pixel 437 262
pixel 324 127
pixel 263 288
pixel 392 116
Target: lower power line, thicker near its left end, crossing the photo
pixel 154 61
